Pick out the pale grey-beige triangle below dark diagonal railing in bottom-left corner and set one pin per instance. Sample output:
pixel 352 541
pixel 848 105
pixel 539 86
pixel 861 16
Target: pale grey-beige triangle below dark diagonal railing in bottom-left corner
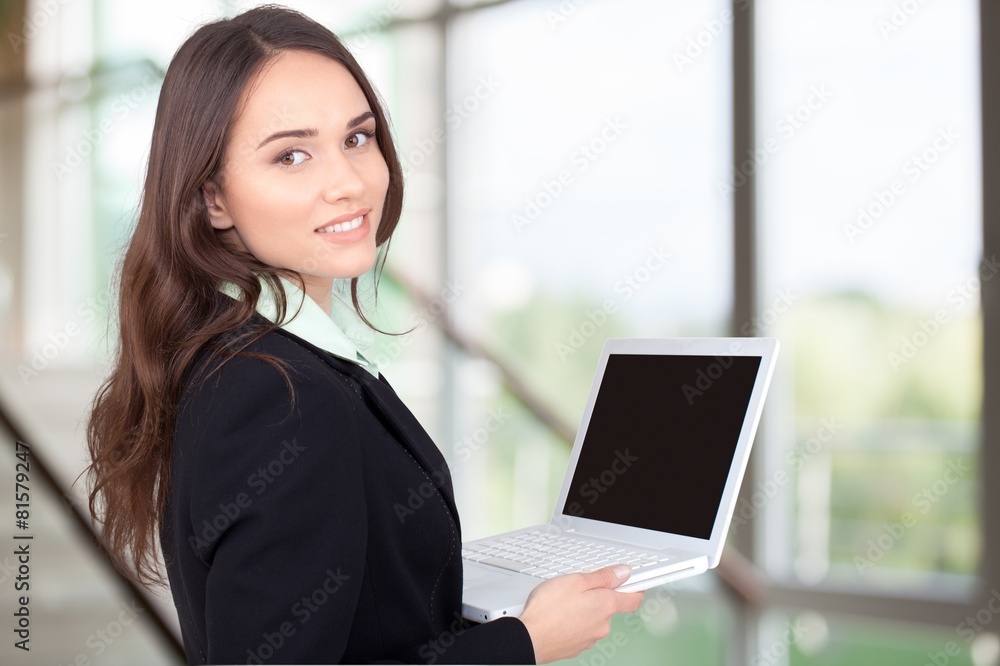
pixel 76 610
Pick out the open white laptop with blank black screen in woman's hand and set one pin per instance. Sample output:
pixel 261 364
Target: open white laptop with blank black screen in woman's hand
pixel 653 476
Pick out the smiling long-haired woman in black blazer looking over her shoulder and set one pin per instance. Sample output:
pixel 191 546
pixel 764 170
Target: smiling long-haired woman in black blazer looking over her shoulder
pixel 242 423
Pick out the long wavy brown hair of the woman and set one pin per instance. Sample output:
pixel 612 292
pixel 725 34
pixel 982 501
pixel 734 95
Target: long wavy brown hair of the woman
pixel 169 310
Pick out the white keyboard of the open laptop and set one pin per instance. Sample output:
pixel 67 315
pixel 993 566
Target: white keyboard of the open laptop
pixel 545 555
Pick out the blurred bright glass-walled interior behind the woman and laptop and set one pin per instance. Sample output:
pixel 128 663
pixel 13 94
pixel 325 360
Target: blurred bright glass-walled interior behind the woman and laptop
pixel 582 169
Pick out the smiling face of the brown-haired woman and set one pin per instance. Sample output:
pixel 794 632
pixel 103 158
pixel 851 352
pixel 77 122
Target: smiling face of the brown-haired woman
pixel 303 180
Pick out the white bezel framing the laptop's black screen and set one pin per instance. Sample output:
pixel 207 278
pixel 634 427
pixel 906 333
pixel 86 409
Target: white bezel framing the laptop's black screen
pixel 767 350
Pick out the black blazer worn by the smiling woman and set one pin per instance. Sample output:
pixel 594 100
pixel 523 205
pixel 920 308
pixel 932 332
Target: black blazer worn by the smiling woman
pixel 319 531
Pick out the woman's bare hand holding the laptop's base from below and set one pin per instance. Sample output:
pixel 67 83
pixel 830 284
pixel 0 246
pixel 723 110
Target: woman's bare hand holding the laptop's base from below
pixel 569 614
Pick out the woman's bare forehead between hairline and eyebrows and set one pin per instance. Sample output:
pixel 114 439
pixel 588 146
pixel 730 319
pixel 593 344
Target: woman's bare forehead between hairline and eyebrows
pixel 297 90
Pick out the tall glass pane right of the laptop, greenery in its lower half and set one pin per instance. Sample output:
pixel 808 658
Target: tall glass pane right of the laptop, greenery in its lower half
pixel 870 238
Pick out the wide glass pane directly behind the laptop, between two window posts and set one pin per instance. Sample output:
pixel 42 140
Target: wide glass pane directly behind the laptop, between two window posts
pixel 581 200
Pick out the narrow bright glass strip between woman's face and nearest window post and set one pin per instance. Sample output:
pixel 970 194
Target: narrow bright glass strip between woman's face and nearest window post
pixel 405 65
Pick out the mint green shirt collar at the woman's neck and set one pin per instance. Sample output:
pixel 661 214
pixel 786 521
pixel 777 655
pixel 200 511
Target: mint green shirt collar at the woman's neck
pixel 342 333
